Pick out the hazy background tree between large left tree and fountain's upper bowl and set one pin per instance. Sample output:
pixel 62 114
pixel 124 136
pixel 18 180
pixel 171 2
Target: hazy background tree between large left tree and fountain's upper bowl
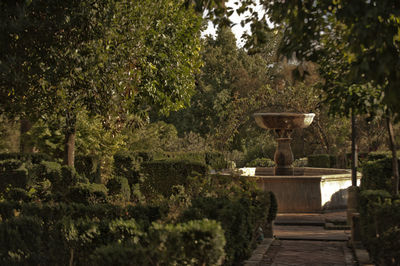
pixel 229 88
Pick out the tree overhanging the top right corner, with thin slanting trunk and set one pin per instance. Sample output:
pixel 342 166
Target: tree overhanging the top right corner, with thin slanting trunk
pixel 358 54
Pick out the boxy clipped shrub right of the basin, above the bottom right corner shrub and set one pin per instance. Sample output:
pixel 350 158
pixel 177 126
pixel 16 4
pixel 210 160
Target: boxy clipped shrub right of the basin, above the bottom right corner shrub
pixel 377 174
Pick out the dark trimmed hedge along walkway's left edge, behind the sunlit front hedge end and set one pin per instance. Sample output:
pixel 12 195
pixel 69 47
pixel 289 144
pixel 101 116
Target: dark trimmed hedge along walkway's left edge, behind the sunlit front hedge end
pixel 240 218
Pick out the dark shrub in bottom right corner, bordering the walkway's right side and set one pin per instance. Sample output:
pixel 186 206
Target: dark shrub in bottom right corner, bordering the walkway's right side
pixel 379 221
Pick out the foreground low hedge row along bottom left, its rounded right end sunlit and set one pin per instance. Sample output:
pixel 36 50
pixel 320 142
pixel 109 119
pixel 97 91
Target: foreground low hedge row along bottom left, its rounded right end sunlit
pixel 30 239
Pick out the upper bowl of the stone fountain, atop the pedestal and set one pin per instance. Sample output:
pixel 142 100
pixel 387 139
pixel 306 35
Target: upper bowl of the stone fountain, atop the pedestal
pixel 283 120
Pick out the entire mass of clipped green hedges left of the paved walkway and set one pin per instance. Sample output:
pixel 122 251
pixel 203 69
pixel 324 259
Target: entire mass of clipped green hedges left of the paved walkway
pixel 57 216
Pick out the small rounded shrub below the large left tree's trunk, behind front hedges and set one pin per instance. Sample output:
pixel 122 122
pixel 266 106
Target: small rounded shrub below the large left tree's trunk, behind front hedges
pixel 87 193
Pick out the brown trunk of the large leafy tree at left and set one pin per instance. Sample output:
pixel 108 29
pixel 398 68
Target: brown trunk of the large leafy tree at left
pixel 69 142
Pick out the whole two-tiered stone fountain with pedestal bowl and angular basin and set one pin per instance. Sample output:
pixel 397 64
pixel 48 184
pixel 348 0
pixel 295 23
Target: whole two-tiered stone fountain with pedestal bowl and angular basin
pixel 298 189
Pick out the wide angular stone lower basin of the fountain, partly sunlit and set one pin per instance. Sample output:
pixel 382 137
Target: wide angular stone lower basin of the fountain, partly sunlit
pixel 308 190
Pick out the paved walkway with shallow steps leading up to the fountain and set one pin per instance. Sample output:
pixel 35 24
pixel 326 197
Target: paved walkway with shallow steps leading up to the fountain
pixel 305 239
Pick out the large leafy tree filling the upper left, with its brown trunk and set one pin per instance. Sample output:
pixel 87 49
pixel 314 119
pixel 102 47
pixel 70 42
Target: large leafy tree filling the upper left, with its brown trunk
pixel 102 56
